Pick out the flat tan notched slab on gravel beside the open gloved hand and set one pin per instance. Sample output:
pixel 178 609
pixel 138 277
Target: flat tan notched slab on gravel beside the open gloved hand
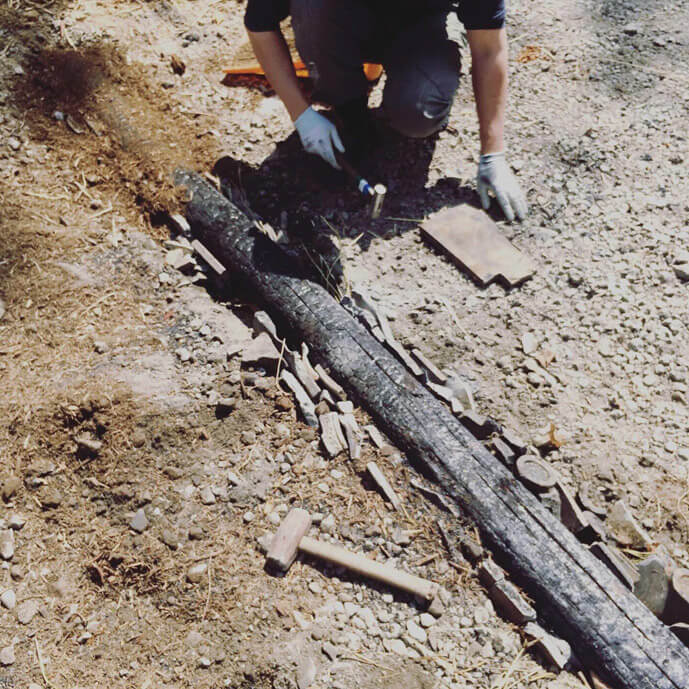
pixel 475 242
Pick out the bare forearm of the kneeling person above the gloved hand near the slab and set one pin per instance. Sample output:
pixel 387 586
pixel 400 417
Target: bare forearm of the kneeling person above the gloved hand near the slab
pixel 489 79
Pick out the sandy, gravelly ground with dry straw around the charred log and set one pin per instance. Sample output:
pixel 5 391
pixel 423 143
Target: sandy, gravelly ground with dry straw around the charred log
pixel 96 328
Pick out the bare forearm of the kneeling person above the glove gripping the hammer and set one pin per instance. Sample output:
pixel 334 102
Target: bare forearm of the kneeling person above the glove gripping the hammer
pixel 273 54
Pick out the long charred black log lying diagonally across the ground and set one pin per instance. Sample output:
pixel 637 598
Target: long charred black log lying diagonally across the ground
pixel 608 627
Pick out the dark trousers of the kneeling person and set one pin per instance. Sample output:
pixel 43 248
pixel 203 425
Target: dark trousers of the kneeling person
pixel 410 40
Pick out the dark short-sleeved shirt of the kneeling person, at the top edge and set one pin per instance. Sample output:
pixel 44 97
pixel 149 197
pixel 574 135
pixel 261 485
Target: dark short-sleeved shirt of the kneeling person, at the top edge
pixel 266 15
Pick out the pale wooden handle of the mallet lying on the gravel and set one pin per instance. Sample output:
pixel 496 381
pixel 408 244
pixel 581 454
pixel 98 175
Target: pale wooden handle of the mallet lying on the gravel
pixel 369 568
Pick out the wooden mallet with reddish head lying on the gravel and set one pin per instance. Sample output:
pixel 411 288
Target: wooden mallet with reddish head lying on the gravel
pixel 291 538
